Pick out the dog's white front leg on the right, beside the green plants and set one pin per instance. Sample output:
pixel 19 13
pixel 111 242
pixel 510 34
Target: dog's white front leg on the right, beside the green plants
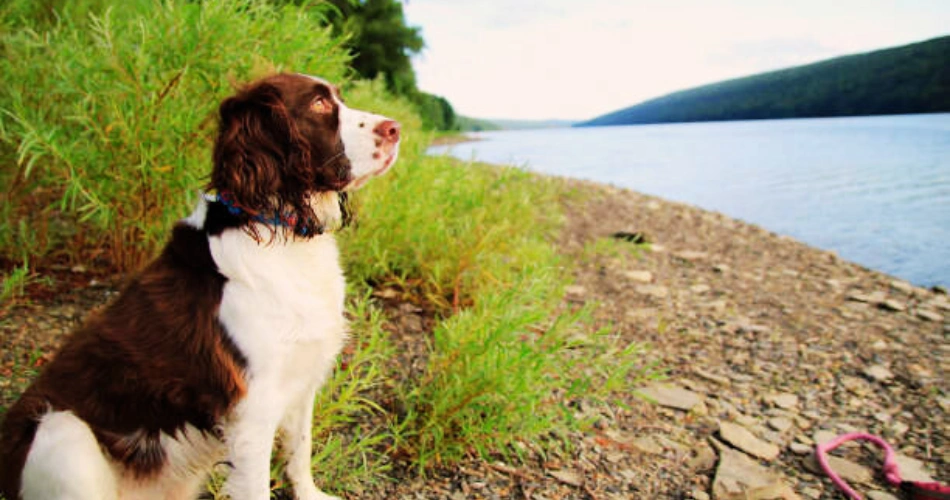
pixel 297 446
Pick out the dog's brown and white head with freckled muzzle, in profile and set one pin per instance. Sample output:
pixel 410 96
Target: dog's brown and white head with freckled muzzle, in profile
pixel 288 140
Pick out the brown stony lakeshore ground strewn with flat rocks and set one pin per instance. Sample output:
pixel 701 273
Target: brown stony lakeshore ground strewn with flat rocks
pixel 768 346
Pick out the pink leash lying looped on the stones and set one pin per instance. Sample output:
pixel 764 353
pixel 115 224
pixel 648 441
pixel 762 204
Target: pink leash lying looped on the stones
pixel 913 489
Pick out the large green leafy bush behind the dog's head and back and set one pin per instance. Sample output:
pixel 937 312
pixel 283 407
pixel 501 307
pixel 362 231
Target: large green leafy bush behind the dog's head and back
pixel 106 119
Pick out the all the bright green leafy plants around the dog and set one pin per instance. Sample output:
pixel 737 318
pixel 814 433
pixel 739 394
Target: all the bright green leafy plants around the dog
pixel 106 121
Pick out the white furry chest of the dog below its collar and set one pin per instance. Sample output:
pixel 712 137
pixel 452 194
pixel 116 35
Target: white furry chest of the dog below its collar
pixel 283 302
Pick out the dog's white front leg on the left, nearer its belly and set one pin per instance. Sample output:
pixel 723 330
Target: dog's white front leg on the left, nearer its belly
pixel 250 439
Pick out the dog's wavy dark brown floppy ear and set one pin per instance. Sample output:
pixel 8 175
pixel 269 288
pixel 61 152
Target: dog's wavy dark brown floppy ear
pixel 261 160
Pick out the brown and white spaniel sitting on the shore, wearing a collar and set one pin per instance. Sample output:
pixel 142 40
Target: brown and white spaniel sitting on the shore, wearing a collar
pixel 222 342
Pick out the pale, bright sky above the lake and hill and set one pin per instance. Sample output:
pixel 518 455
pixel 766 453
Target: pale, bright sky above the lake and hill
pixel 577 59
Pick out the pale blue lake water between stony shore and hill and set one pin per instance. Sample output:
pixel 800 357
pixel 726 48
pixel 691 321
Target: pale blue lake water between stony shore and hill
pixel 876 190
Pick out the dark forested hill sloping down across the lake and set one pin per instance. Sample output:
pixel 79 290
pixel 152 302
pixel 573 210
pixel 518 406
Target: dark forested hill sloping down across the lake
pixel 908 79
